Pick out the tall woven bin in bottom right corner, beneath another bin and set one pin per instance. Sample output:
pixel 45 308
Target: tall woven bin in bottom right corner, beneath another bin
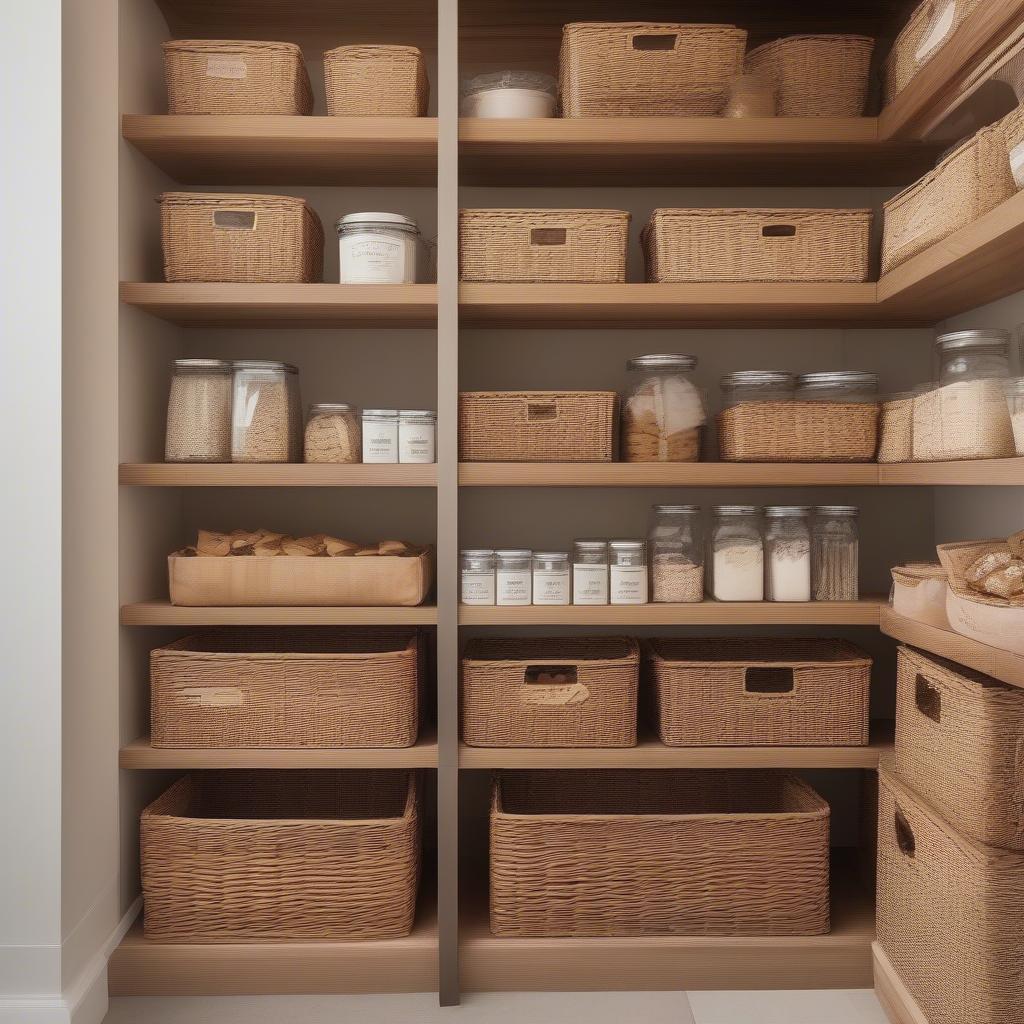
pixel 951 914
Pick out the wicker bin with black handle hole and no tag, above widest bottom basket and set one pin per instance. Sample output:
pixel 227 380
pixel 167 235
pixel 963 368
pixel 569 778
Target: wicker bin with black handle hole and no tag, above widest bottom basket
pixel 750 693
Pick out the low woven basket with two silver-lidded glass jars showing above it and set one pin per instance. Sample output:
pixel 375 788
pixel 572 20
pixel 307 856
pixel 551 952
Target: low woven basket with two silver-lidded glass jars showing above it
pixel 799 432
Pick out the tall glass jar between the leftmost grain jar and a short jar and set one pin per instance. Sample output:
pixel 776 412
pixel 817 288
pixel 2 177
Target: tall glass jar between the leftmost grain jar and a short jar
pixel 267 418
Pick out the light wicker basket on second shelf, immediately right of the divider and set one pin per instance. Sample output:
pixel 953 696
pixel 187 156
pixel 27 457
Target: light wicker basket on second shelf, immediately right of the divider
pixel 584 246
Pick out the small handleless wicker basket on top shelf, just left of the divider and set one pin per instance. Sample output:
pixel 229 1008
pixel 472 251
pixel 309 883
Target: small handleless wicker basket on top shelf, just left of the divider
pixel 376 81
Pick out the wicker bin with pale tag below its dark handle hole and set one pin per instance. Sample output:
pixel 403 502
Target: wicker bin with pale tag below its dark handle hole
pixel 568 692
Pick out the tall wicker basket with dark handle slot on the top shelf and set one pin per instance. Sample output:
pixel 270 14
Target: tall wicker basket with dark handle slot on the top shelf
pixel 612 69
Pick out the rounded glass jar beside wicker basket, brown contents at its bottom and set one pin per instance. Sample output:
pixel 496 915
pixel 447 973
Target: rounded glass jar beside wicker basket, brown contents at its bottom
pixel 664 412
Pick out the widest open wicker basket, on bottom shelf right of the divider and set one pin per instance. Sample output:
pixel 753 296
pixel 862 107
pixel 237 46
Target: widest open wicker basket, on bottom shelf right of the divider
pixel 666 852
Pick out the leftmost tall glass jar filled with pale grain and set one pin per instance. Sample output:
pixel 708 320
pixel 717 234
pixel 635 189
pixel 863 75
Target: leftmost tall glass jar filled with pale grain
pixel 199 412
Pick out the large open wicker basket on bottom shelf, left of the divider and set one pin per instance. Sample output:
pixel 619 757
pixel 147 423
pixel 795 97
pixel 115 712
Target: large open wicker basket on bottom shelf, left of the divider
pixel 247 857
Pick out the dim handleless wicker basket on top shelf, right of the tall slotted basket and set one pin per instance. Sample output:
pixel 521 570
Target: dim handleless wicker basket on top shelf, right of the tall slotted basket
pixel 816 76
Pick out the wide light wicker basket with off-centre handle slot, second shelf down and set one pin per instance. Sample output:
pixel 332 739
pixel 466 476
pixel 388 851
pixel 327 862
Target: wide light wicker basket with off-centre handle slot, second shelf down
pixel 757 245
